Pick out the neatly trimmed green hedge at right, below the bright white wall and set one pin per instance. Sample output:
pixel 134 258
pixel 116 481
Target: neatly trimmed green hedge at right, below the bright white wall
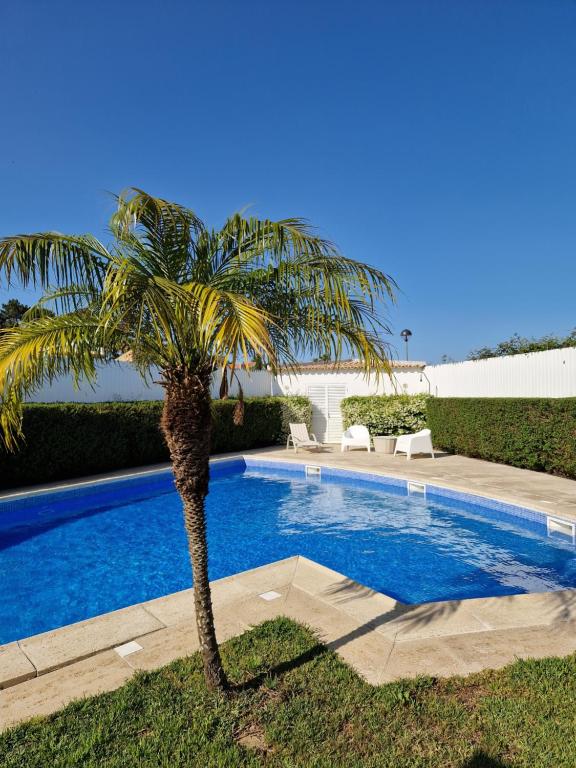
pixel 533 433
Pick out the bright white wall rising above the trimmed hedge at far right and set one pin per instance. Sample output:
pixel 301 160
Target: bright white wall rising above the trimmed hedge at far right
pixel 537 374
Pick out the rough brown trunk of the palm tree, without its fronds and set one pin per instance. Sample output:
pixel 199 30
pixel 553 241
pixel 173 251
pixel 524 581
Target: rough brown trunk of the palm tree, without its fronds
pixel 187 425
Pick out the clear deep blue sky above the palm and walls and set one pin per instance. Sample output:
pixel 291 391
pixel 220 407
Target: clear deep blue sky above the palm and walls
pixel 435 139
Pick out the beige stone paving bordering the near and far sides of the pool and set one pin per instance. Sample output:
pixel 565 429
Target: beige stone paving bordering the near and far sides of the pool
pixel 380 637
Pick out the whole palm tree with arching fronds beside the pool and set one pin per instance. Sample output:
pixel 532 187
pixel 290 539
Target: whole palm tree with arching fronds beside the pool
pixel 189 300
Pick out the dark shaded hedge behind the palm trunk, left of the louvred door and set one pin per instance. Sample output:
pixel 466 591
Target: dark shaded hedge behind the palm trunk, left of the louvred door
pixel 66 440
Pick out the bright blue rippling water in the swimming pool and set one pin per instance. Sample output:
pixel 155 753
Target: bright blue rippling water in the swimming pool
pixel 75 554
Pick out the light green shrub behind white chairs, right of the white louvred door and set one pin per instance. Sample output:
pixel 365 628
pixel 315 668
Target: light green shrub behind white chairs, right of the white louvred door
pixel 386 414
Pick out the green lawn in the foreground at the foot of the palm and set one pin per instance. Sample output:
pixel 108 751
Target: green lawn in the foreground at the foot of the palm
pixel 297 704
